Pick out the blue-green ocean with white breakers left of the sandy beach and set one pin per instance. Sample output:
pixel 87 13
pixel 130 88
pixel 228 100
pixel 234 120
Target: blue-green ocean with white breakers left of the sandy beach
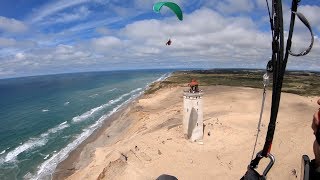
pixel 43 118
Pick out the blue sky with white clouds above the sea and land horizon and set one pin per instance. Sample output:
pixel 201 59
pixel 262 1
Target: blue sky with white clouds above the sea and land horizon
pixel 58 36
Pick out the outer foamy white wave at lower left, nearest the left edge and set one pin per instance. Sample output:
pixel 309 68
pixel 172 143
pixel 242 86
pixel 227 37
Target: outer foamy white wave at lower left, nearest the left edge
pixel 34 142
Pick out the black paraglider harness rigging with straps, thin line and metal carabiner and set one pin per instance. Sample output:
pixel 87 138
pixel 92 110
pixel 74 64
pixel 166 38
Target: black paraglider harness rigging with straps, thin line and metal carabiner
pixel 277 66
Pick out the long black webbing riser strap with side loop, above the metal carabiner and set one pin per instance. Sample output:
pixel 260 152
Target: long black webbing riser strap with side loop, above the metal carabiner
pixel 279 62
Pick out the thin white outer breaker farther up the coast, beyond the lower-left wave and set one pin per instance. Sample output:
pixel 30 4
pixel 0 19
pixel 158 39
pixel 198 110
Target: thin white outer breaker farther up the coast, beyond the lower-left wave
pixel 91 112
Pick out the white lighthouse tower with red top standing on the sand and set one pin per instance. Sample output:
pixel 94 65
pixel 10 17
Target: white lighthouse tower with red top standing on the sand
pixel 193 112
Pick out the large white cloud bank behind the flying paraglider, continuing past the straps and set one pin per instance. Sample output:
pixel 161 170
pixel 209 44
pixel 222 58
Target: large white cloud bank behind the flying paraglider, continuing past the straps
pixel 219 39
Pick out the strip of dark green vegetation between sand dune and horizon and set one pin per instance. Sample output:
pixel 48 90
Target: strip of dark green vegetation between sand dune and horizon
pixel 301 83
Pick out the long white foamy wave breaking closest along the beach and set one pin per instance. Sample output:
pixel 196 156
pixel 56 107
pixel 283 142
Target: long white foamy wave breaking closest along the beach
pixel 47 168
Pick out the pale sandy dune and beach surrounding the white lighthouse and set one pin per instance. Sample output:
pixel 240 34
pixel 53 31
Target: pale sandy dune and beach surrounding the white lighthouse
pixel 145 139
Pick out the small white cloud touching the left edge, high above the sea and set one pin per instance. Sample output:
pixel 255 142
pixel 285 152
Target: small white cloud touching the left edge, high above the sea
pixel 12 25
